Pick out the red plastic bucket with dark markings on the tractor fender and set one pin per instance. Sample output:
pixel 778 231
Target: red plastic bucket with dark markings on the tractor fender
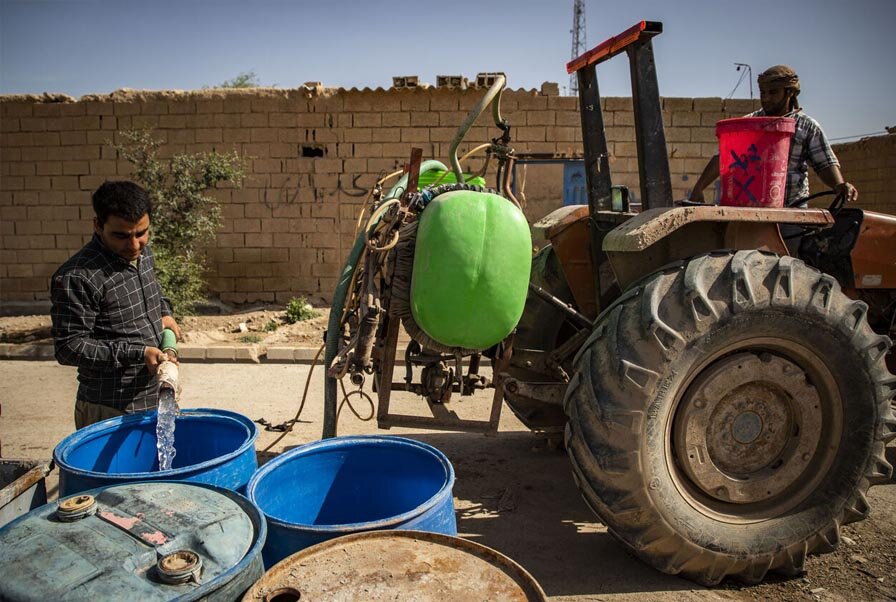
pixel 753 153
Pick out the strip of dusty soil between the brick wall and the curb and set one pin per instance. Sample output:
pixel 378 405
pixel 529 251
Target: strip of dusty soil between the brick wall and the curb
pixel 267 327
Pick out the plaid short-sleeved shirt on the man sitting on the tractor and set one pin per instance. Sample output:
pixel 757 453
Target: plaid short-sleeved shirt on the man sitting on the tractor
pixel 809 146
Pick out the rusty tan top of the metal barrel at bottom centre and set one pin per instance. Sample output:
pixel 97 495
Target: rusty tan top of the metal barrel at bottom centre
pixel 402 565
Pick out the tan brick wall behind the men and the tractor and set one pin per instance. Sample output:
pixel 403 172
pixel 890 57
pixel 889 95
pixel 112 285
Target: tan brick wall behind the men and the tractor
pixel 313 154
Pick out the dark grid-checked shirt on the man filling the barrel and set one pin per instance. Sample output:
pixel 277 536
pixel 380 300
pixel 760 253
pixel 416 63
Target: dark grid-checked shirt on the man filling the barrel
pixel 105 312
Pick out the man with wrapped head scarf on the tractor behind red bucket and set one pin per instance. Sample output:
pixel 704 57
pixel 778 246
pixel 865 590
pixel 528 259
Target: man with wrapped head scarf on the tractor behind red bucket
pixel 779 87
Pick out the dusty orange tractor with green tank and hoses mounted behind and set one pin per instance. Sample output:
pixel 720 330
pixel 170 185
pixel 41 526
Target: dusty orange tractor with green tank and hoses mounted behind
pixel 725 402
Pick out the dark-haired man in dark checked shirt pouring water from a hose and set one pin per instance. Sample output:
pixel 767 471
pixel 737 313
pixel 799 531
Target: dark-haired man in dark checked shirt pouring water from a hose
pixel 108 310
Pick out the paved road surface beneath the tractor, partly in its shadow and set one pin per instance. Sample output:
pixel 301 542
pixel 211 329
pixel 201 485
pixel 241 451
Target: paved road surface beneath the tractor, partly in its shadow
pixel 513 492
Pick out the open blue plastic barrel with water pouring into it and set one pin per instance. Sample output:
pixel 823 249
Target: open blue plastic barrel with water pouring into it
pixel 213 446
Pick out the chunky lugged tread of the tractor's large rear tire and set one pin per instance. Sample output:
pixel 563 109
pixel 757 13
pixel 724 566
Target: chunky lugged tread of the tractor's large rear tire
pixel 623 365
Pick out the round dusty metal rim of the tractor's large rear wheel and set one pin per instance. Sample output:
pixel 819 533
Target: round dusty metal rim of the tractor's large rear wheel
pixel 747 427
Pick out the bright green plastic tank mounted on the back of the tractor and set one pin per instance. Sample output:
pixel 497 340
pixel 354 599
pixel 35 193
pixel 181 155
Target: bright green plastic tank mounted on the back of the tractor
pixel 471 269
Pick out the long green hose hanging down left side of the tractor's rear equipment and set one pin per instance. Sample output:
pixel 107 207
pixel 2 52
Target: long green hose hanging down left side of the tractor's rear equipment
pixel 338 304
